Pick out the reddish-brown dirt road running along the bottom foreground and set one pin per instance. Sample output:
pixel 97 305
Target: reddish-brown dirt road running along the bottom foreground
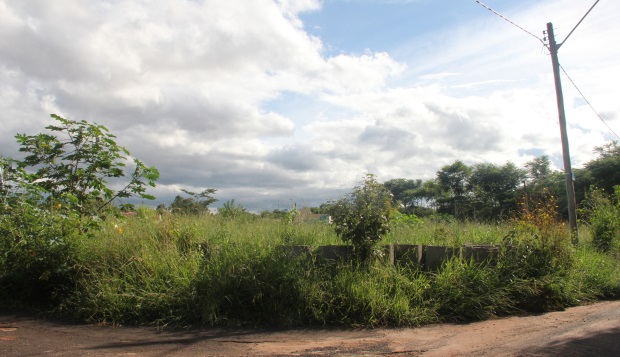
pixel 592 330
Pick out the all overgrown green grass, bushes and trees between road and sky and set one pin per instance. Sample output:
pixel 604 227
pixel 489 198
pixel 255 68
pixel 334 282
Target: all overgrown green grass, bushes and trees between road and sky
pixel 190 266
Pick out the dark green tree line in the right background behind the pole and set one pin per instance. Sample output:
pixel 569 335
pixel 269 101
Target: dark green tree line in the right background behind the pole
pixel 487 191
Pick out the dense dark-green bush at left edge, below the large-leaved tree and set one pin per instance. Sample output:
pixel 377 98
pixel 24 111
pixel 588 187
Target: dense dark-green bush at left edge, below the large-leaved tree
pixel 37 253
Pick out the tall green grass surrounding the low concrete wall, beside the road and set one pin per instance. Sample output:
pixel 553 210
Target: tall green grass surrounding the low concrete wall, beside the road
pixel 212 271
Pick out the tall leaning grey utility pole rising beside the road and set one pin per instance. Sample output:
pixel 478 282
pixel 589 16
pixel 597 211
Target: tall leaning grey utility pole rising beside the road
pixel 570 188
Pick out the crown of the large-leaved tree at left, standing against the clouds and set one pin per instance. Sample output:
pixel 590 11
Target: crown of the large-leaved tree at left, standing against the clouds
pixel 73 168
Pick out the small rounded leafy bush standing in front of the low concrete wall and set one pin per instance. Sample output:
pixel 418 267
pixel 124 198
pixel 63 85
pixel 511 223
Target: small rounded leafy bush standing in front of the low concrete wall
pixel 362 217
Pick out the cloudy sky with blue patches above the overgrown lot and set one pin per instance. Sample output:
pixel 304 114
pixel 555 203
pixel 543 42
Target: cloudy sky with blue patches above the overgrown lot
pixel 277 103
